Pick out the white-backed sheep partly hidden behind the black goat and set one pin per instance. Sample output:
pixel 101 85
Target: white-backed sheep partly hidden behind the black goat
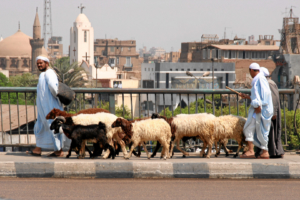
pixel 107 119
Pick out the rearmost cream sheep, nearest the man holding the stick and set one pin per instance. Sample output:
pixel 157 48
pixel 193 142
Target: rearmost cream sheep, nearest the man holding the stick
pixel 229 127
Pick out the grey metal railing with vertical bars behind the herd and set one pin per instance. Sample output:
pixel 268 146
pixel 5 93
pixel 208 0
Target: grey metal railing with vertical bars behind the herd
pixel 85 98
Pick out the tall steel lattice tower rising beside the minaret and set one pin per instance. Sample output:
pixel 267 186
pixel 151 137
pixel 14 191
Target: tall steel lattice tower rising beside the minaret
pixel 47 26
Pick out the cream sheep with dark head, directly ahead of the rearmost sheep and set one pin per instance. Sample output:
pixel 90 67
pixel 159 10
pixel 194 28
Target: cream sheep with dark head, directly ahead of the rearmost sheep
pixel 196 125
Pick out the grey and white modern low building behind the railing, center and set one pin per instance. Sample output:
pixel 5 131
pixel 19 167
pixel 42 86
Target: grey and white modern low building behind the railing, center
pixel 173 75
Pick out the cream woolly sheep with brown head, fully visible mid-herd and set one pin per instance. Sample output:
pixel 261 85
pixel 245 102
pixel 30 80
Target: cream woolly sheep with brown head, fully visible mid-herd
pixel 145 130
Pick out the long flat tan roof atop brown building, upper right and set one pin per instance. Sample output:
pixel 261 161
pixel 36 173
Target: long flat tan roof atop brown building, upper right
pixel 248 47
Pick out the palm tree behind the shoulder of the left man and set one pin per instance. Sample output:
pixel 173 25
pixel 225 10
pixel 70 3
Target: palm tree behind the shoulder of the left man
pixel 77 78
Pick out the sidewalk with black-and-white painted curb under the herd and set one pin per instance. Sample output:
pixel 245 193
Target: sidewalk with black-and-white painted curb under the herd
pixel 13 164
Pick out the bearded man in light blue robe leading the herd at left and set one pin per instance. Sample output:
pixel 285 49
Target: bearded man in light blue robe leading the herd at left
pixel 46 100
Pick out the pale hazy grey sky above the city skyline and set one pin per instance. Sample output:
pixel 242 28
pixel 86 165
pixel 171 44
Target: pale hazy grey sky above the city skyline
pixel 158 23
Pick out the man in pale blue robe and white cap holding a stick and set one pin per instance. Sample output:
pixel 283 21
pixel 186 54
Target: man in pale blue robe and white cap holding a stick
pixel 257 127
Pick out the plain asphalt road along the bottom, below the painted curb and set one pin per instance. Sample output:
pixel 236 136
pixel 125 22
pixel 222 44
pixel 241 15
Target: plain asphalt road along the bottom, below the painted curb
pixel 23 188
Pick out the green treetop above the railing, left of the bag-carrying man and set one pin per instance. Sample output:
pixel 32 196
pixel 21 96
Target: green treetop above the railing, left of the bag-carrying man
pixel 24 80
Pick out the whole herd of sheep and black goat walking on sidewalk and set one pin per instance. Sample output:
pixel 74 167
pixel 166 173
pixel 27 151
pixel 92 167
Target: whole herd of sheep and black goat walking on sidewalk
pixel 111 133
